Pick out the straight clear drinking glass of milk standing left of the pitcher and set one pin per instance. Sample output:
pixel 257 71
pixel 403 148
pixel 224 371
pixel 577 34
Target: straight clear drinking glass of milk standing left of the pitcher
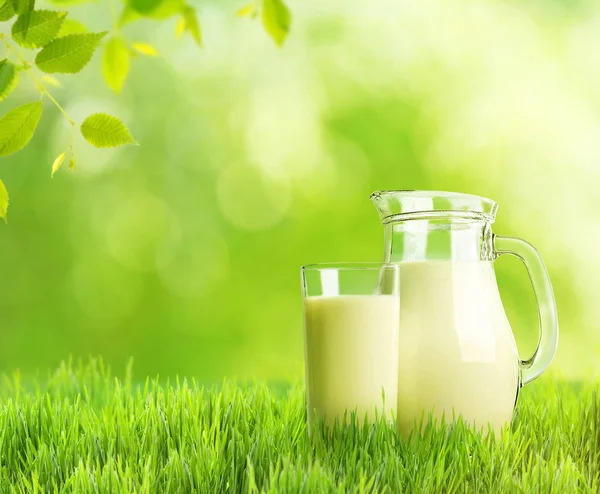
pixel 351 323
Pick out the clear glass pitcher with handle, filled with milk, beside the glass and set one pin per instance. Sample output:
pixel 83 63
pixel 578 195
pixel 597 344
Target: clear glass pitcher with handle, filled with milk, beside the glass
pixel 457 353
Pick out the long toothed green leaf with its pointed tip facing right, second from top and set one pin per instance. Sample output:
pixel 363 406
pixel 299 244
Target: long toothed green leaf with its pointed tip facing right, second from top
pixel 69 54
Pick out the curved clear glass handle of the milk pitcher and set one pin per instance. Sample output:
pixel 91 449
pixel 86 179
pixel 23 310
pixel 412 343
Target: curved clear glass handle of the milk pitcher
pixel 542 287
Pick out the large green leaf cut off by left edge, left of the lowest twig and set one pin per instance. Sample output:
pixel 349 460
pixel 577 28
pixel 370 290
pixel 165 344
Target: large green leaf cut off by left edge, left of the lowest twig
pixel 18 126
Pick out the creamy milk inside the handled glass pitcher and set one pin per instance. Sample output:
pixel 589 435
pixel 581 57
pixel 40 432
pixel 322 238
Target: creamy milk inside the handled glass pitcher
pixel 456 351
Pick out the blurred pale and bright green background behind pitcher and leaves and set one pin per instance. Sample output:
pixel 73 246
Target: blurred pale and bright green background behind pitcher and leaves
pixel 184 252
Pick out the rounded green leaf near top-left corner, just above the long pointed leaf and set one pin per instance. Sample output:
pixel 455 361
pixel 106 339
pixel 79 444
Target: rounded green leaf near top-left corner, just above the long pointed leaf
pixel 37 28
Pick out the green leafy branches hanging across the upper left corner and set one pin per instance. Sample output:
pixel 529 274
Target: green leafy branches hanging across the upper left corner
pixel 64 46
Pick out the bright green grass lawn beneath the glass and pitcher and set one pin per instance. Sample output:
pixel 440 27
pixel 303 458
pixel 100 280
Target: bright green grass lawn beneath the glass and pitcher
pixel 84 431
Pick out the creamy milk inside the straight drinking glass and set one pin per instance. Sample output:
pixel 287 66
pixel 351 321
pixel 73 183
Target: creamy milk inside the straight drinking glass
pixel 351 356
